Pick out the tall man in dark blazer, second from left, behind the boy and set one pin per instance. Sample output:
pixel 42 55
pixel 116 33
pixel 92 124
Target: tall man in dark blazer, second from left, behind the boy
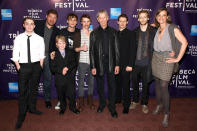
pixel 48 30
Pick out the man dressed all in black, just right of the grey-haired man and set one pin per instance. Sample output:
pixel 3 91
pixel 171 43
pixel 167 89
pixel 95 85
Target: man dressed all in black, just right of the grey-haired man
pixel 127 50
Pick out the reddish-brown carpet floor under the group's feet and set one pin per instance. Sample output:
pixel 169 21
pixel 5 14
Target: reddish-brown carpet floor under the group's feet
pixel 183 117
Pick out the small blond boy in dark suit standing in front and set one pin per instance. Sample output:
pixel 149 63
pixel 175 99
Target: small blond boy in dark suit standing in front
pixel 62 65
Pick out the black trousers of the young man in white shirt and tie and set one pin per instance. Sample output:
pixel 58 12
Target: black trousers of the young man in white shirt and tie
pixel 29 78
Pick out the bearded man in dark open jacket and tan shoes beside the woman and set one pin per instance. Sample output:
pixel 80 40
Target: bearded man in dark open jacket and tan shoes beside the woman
pixel 144 39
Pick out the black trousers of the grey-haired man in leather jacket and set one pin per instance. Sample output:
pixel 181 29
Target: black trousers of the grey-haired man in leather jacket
pixel 111 90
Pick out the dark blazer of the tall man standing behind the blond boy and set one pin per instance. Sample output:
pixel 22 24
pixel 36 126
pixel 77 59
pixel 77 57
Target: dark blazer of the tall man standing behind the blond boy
pixel 39 29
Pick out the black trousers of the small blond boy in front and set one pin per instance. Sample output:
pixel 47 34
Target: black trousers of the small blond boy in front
pixel 67 89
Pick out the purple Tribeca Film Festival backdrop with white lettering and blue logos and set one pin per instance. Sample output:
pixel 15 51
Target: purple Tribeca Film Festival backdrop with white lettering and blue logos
pixel 183 12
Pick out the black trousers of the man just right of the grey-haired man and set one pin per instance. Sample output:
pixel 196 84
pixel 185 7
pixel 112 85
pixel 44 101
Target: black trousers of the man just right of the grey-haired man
pixel 123 88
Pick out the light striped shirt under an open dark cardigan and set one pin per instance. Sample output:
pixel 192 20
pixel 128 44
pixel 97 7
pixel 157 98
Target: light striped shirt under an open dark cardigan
pixel 84 56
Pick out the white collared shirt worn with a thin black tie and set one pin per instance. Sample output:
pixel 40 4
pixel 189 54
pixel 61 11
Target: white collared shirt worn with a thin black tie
pixel 37 48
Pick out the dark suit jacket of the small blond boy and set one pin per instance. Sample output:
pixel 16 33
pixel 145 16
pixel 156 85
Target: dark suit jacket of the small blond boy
pixel 59 63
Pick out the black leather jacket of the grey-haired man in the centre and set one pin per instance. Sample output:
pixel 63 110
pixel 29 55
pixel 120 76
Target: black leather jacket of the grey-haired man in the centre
pixel 96 50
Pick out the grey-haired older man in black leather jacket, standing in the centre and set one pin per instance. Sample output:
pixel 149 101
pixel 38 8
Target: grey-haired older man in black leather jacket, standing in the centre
pixel 104 60
